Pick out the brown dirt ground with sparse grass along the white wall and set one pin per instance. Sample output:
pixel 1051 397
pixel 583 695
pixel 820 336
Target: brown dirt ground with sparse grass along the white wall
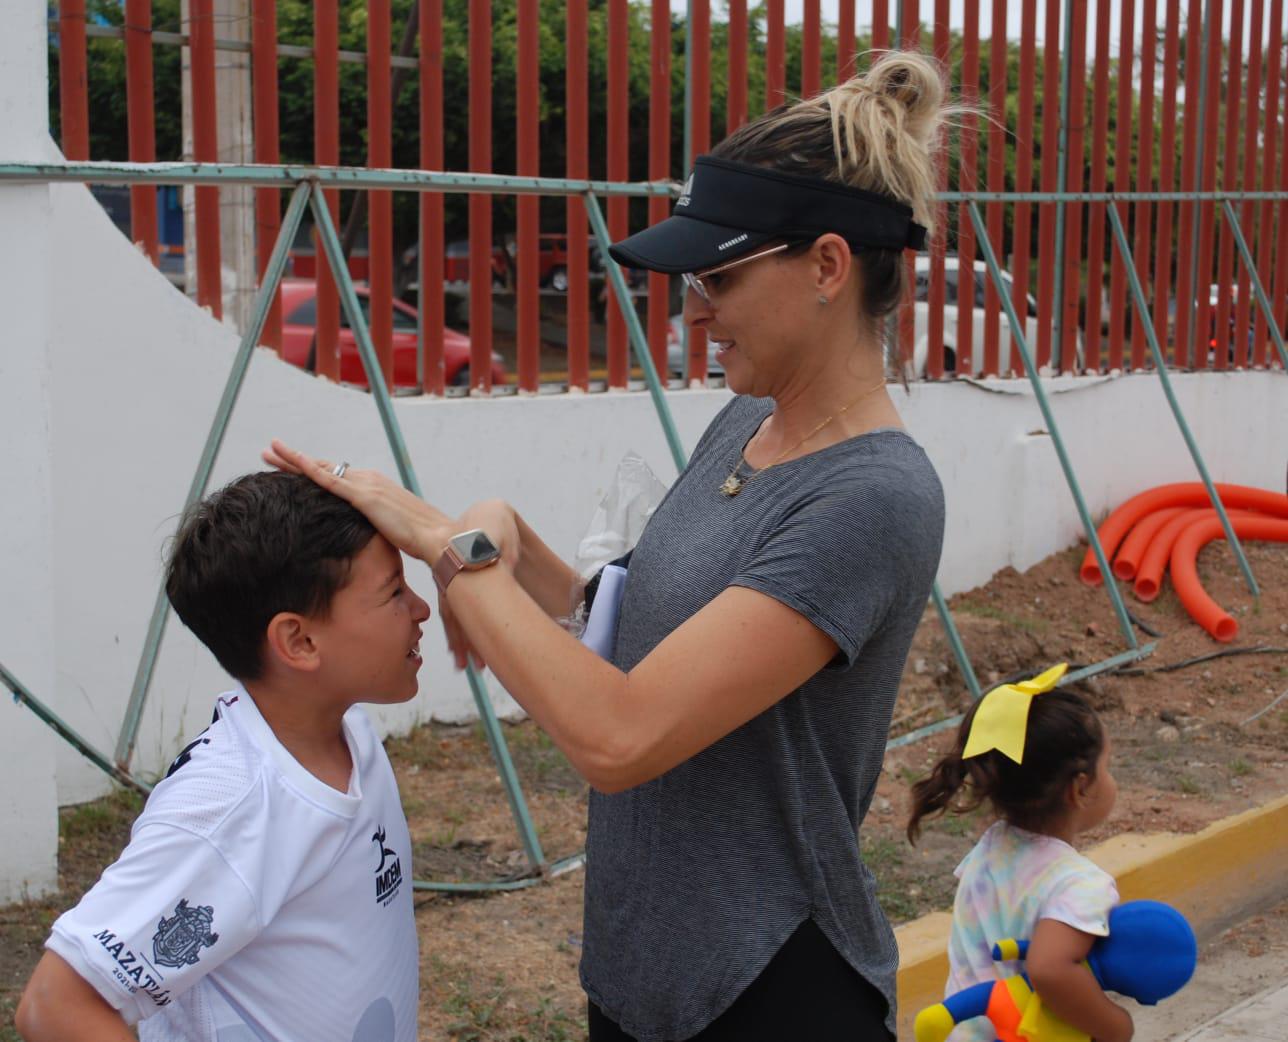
pixel 1192 745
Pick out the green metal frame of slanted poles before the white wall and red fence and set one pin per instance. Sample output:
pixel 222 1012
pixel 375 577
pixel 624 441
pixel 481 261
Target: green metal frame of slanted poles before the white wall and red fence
pixel 308 185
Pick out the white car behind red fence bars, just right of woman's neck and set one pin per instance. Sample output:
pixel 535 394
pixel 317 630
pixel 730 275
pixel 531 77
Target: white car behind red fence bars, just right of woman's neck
pixel 1008 356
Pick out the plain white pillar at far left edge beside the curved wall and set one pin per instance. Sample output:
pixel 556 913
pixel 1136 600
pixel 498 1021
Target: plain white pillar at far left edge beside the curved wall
pixel 29 812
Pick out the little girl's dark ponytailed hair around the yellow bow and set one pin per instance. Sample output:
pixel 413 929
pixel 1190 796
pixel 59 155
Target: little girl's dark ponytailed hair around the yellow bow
pixel 1065 739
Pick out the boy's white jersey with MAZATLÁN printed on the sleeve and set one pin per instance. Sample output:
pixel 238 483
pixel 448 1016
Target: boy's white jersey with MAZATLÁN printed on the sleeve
pixel 254 902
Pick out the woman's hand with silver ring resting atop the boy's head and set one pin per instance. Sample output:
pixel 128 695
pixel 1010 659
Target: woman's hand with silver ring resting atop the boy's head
pixel 401 517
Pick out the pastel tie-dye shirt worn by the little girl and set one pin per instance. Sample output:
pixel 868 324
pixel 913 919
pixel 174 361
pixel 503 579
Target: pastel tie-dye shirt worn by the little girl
pixel 1009 882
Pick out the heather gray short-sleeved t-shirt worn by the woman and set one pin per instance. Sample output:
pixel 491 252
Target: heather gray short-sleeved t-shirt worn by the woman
pixel 696 879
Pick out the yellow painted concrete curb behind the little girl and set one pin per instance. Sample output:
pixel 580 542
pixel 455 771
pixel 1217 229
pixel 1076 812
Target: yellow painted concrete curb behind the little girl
pixel 1215 878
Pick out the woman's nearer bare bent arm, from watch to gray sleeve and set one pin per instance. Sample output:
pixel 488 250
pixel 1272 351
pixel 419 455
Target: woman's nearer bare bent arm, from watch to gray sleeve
pixel 730 663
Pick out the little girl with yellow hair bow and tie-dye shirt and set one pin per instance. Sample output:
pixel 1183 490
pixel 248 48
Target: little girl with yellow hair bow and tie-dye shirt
pixel 1040 758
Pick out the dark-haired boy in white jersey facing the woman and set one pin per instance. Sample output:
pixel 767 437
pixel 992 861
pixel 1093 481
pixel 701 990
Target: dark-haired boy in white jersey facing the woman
pixel 266 892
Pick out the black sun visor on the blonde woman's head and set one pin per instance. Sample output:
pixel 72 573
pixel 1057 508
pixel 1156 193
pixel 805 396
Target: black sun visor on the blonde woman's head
pixel 730 209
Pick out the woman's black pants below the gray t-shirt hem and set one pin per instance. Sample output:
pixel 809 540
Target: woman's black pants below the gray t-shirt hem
pixel 807 992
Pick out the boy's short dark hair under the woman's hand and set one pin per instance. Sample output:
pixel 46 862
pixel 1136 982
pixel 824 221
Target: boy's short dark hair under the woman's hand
pixel 269 543
